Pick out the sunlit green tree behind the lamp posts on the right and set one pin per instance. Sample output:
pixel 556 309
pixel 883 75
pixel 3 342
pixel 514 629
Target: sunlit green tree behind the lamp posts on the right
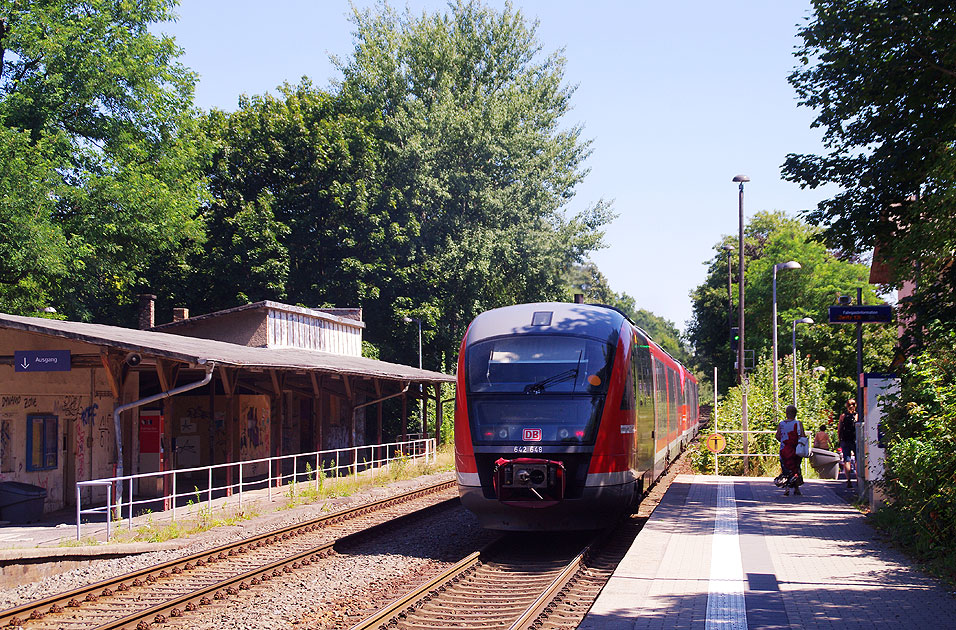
pixel 772 238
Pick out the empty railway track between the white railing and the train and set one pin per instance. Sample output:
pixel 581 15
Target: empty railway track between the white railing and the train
pixel 147 598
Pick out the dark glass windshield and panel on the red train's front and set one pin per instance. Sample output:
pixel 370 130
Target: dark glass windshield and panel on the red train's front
pixel 537 390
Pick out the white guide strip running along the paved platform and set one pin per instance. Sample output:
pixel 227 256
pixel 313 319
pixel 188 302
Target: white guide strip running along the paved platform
pixel 726 609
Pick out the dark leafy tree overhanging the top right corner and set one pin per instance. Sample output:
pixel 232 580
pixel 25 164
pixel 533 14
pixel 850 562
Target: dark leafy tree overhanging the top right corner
pixel 881 77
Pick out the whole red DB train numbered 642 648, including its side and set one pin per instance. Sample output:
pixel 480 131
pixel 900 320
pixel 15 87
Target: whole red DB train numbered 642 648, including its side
pixel 564 416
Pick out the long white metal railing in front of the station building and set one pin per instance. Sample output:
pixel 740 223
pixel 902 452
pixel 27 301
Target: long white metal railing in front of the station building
pixel 333 463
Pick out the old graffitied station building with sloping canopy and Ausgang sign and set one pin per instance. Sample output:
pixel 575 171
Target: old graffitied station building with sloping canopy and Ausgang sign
pixel 281 380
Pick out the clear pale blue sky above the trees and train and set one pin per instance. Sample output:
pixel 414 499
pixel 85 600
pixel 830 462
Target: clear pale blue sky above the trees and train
pixel 678 97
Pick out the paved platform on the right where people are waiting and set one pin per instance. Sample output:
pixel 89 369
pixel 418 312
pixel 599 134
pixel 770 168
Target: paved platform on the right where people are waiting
pixel 734 553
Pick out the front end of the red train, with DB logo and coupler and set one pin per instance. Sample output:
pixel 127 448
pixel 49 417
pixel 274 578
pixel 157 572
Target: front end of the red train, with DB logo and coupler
pixel 532 384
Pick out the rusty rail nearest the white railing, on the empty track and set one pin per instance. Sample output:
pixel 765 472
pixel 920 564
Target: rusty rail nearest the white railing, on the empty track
pixel 14 617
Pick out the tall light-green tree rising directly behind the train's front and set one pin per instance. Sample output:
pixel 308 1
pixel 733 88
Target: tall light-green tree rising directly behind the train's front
pixel 477 164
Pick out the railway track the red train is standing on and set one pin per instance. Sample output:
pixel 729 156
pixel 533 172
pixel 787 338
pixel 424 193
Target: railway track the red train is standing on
pixel 521 581
